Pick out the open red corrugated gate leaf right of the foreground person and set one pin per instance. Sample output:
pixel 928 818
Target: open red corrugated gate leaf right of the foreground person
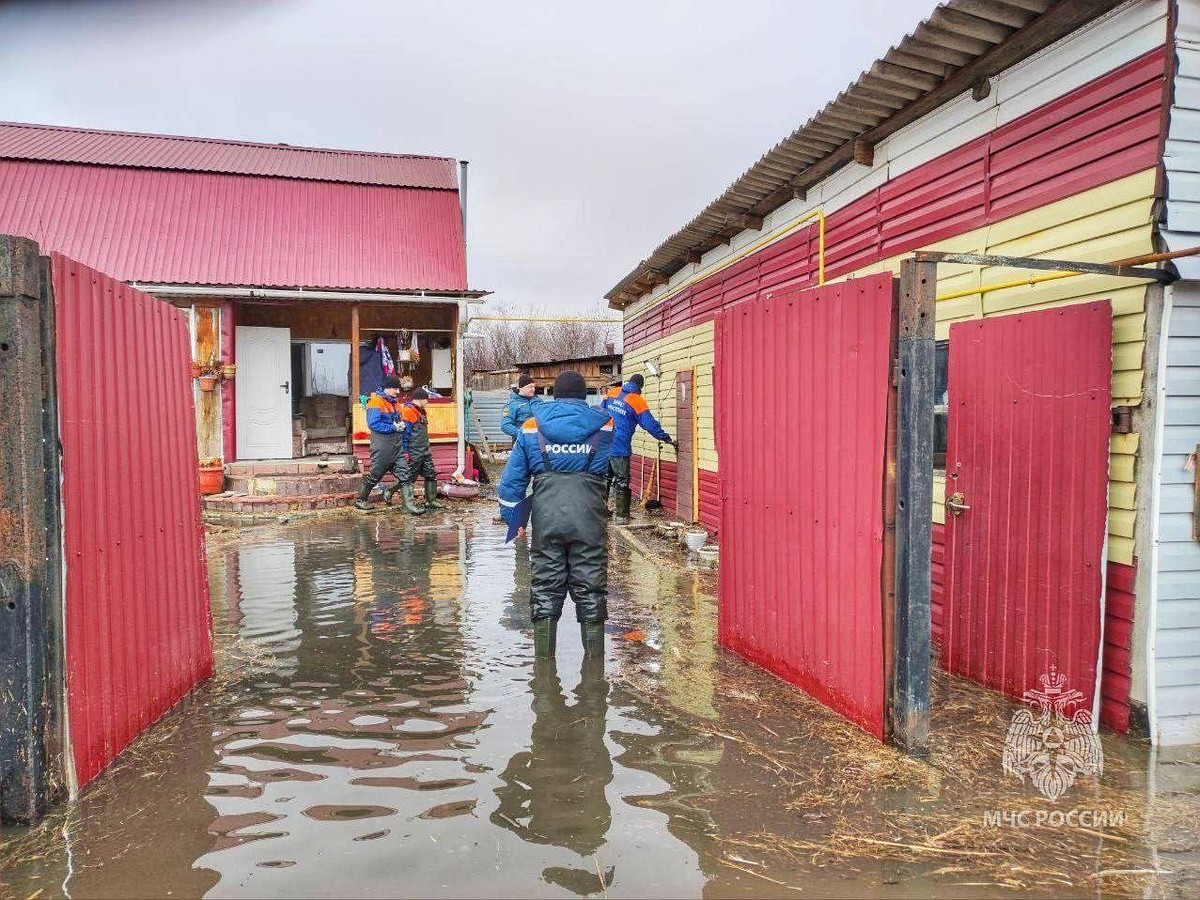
pixel 803 383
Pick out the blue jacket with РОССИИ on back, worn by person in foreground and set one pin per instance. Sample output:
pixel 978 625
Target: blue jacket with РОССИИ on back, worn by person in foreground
pixel 568 427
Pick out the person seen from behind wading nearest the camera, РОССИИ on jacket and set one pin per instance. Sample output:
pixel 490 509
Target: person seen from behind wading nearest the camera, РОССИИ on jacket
pixel 565 451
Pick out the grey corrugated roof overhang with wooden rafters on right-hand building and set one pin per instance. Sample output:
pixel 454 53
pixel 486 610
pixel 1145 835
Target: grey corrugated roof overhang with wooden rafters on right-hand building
pixel 958 49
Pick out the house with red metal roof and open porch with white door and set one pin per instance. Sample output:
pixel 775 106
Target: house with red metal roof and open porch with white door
pixel 309 272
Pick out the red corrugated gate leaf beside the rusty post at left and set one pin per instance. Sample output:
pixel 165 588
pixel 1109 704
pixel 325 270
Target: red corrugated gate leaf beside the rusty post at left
pixel 140 633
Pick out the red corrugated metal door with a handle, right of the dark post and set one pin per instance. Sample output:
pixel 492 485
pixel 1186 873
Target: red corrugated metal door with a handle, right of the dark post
pixel 1029 440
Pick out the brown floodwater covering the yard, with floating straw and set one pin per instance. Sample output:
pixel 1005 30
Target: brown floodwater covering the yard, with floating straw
pixel 381 729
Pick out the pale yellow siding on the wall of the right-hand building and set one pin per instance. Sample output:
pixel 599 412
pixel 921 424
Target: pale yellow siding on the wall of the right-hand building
pixel 1106 224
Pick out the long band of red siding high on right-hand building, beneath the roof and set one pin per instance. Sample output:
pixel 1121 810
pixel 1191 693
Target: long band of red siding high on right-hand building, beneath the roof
pixel 1011 171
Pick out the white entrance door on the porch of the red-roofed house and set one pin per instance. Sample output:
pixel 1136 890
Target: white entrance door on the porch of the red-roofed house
pixel 265 393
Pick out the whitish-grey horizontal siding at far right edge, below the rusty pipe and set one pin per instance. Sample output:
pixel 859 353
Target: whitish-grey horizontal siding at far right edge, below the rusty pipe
pixel 1178 635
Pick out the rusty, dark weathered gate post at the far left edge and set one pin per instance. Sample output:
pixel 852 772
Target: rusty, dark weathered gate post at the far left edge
pixel 31 593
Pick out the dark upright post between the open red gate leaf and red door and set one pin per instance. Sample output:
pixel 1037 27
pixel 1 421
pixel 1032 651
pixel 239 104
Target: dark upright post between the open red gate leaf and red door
pixel 915 506
